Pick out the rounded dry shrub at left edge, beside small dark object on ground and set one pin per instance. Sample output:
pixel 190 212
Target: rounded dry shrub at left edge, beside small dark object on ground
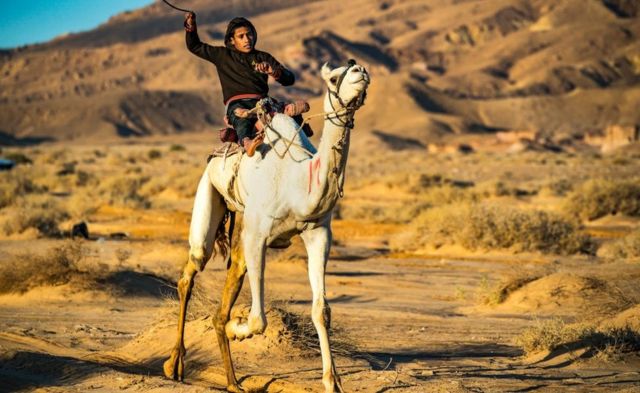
pixel 40 212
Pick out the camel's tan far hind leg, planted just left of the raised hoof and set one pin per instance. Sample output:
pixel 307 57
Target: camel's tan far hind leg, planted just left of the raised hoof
pixel 232 286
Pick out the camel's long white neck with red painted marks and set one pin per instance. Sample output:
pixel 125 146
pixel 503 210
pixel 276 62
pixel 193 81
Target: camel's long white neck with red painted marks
pixel 328 165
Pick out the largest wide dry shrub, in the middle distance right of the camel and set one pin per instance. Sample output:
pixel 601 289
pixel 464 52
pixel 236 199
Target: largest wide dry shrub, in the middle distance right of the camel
pixel 478 226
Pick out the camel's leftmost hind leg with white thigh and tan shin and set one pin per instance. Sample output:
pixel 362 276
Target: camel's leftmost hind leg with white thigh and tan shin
pixel 206 222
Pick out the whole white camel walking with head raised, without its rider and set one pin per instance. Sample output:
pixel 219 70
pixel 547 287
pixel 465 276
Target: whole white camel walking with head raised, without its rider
pixel 286 188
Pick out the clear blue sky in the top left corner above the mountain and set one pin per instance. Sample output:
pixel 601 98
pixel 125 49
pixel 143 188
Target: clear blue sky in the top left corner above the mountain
pixel 30 21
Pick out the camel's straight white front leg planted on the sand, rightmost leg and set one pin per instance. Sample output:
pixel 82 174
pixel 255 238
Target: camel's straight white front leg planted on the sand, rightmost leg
pixel 318 242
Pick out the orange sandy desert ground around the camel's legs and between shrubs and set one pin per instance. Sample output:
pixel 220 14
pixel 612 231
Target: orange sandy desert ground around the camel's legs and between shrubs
pixel 403 322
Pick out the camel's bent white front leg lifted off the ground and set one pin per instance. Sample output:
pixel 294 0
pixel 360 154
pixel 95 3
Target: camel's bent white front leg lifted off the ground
pixel 254 247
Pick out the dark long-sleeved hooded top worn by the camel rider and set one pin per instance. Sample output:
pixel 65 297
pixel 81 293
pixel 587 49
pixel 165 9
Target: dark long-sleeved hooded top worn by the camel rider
pixel 236 69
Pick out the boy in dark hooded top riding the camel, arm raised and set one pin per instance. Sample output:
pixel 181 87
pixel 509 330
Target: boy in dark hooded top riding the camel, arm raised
pixel 243 72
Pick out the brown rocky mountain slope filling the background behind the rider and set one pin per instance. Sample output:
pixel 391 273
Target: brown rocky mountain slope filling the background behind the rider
pixel 438 67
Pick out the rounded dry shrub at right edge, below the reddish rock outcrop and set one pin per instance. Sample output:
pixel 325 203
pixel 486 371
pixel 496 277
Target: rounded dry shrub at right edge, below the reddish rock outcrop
pixel 597 198
